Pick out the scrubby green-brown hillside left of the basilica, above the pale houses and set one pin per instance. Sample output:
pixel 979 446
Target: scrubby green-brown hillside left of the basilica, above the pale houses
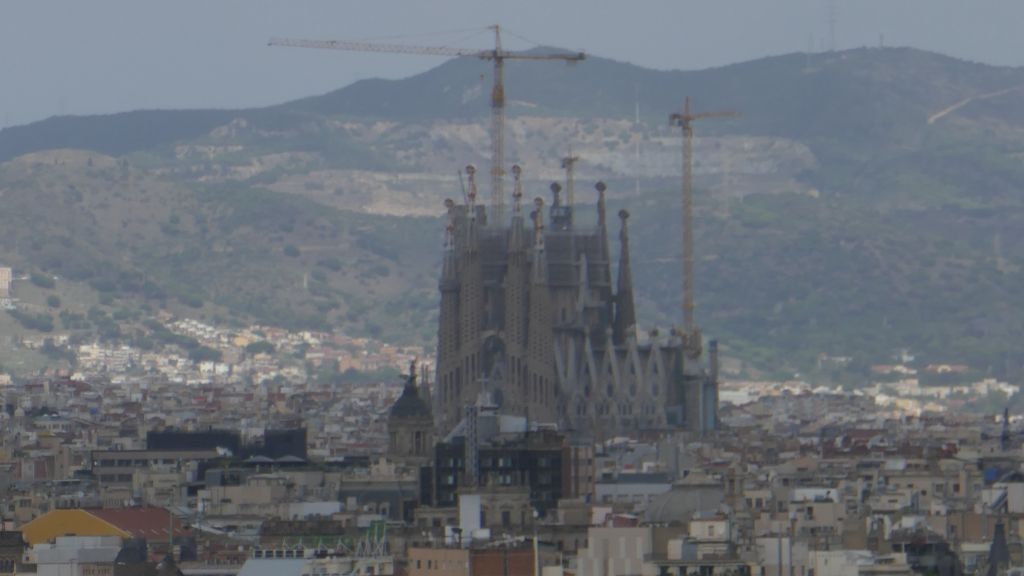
pixel 129 236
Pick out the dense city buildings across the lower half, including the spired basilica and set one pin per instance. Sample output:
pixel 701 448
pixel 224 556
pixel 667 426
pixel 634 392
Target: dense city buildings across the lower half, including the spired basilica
pixel 260 457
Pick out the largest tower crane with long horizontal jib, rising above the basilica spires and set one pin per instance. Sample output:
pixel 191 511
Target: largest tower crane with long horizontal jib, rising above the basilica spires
pixel 498 56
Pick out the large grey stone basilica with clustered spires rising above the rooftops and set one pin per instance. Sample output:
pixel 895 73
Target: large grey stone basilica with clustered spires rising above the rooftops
pixel 531 319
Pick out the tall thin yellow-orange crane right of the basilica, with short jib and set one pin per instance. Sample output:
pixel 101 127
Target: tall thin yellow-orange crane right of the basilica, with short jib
pixel 686 121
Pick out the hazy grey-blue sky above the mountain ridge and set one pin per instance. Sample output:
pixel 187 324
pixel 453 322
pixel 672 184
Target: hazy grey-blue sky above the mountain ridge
pixel 89 57
